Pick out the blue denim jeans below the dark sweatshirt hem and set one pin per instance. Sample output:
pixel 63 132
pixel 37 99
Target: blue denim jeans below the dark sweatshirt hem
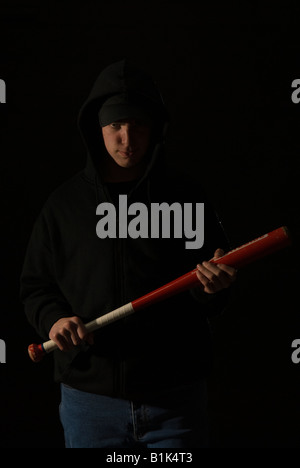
pixel 95 421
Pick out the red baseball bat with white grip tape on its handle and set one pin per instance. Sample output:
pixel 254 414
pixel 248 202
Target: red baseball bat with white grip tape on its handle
pixel 239 257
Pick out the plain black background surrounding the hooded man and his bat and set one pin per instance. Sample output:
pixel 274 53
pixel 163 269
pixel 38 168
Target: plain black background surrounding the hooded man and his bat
pixel 225 73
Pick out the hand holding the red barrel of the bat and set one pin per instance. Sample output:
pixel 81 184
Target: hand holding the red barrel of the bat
pixel 215 277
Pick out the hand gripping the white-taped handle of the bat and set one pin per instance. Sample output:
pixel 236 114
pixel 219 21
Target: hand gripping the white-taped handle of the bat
pixel 69 332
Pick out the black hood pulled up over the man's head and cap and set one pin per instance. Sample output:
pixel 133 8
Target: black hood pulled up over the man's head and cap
pixel 119 78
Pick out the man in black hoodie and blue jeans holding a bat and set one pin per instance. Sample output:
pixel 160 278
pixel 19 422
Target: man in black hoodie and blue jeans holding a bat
pixel 140 381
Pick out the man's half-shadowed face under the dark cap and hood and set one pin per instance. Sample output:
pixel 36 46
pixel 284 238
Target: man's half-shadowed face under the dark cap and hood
pixel 127 141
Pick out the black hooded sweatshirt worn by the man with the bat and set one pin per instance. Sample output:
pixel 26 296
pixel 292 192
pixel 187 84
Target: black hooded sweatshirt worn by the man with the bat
pixel 68 270
